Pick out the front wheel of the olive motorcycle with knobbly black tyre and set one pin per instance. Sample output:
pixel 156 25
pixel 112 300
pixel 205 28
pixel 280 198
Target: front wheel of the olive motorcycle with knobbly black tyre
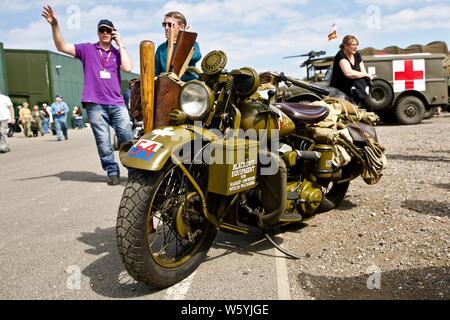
pixel 150 243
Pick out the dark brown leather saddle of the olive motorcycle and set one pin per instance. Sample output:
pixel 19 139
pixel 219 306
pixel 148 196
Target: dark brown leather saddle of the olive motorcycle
pixel 303 112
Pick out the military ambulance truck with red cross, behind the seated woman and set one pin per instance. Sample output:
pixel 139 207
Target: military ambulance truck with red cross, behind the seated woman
pixel 408 84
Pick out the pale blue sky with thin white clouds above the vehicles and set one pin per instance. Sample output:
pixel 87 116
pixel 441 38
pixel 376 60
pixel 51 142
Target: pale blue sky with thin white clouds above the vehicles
pixel 255 33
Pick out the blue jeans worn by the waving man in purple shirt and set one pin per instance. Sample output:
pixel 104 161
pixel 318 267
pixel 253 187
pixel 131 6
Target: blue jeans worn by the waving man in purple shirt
pixel 100 118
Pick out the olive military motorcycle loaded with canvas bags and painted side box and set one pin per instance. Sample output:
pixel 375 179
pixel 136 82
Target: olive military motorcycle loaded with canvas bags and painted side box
pixel 235 156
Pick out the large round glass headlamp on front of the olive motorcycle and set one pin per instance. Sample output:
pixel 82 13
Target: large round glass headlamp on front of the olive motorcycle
pixel 196 99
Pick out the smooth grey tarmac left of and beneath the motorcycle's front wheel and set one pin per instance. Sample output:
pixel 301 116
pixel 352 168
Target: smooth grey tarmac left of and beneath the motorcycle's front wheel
pixel 57 240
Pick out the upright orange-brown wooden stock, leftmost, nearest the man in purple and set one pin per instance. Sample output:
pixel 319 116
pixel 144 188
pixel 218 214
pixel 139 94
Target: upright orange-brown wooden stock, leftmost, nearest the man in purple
pixel 147 53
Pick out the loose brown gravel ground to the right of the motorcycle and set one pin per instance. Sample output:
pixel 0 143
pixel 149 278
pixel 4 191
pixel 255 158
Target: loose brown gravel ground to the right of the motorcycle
pixel 390 240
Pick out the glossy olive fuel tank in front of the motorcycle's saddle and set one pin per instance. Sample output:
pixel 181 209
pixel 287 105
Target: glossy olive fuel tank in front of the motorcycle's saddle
pixel 256 115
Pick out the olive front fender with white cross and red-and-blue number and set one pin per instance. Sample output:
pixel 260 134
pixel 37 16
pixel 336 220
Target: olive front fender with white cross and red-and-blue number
pixel 152 151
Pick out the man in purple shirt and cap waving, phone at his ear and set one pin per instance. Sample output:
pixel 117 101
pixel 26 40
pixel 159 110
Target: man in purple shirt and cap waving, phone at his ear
pixel 102 97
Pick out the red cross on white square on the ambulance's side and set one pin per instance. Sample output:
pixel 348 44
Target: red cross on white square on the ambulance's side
pixel 412 72
